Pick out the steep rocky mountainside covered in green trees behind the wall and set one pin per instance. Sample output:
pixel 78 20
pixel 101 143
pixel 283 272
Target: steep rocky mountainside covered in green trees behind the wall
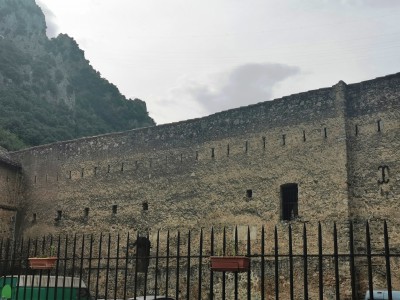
pixel 48 90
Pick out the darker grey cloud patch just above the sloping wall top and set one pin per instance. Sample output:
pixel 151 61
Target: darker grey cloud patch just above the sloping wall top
pixel 244 85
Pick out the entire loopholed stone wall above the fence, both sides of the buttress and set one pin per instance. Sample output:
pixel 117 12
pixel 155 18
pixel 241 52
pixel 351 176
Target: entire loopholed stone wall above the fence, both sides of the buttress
pixel 328 155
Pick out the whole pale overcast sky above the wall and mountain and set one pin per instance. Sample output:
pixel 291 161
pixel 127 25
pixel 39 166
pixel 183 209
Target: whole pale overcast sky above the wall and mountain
pixel 191 58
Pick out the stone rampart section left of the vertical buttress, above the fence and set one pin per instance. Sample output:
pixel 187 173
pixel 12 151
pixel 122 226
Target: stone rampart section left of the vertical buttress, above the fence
pixel 195 173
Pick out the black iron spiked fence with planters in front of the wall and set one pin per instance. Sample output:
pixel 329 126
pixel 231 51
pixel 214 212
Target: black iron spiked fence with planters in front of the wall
pixel 286 262
